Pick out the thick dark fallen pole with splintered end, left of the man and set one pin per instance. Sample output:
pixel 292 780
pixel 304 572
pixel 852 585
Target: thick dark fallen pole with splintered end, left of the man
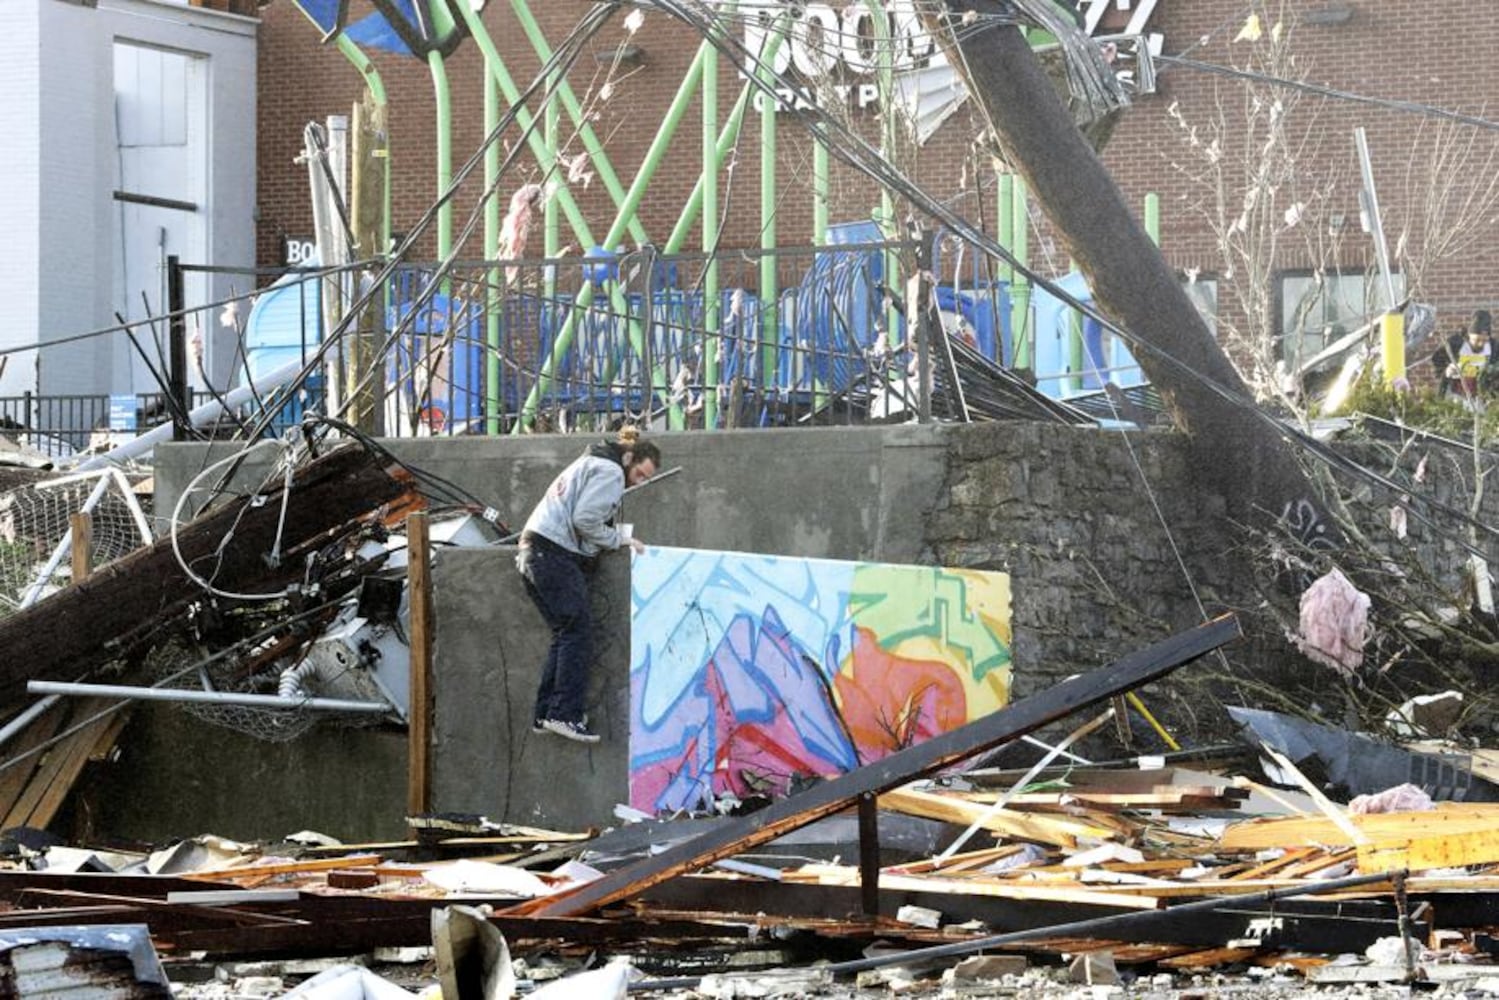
pixel 83 626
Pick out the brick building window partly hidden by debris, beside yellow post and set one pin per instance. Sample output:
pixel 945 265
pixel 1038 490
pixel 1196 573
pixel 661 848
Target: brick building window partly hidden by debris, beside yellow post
pixel 1320 310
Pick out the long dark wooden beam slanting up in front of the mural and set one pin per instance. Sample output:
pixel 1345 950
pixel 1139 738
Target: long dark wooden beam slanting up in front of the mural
pixel 900 768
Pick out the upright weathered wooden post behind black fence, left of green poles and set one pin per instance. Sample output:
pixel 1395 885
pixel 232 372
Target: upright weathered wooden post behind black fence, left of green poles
pixel 368 164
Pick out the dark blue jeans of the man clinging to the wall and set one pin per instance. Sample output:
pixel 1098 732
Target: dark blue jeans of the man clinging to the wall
pixel 558 587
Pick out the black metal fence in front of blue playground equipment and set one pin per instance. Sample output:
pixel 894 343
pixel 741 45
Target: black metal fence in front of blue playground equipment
pixel 737 340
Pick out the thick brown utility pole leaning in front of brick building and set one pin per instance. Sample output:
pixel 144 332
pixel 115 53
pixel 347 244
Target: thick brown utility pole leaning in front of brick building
pixel 1236 454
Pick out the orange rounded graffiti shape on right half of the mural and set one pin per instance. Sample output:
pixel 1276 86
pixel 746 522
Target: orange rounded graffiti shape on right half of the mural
pixel 890 702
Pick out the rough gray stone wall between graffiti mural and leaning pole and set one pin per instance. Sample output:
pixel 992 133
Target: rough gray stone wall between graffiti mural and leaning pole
pixel 1109 545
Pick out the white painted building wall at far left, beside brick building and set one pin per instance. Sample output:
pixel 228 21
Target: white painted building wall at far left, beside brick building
pixel 62 263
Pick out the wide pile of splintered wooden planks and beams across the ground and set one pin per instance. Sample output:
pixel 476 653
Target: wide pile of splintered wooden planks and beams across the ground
pixel 1150 866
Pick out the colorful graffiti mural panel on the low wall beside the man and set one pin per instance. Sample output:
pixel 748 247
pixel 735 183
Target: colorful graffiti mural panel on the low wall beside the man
pixel 753 674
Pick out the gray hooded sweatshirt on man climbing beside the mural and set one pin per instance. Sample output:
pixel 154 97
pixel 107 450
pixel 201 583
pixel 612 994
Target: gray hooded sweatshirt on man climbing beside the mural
pixel 582 504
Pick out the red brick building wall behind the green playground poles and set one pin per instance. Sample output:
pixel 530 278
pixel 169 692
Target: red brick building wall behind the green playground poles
pixel 1201 143
